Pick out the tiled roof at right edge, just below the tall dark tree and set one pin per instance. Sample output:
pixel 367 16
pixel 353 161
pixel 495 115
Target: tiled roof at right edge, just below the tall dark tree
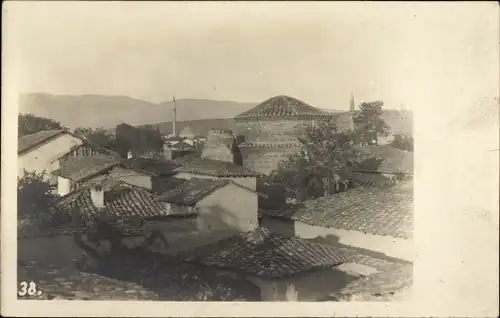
pixel 386 159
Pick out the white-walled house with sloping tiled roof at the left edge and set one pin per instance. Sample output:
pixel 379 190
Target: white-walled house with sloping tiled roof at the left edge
pixel 46 150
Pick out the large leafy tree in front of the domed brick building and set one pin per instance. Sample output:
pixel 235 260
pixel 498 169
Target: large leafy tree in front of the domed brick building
pixel 325 161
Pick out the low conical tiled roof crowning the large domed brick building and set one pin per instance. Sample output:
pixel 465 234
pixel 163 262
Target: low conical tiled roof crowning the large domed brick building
pixel 282 106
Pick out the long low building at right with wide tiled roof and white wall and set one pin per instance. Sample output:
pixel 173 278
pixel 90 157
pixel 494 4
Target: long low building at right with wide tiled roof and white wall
pixel 377 218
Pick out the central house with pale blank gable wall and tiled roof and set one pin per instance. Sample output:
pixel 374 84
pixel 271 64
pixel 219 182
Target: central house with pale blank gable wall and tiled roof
pixel 220 204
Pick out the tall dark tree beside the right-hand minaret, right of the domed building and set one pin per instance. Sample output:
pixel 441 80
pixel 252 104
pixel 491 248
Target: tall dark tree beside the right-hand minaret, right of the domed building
pixel 368 122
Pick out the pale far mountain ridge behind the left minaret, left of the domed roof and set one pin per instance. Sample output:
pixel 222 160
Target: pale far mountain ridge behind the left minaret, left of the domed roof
pixel 108 111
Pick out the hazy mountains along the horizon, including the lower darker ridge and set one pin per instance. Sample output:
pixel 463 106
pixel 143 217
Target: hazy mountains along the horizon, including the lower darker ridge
pixel 109 111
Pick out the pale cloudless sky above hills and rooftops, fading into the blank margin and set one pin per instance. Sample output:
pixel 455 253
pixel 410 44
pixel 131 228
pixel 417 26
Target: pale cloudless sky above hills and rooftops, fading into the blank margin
pixel 400 53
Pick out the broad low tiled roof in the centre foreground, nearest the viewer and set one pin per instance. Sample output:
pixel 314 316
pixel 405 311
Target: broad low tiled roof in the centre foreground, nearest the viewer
pixel 261 253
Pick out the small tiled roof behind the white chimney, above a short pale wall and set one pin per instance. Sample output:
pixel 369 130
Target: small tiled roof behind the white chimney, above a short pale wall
pixel 80 168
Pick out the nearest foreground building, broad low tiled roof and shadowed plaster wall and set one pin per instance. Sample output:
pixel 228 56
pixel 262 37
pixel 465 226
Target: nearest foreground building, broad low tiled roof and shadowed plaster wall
pixel 284 268
